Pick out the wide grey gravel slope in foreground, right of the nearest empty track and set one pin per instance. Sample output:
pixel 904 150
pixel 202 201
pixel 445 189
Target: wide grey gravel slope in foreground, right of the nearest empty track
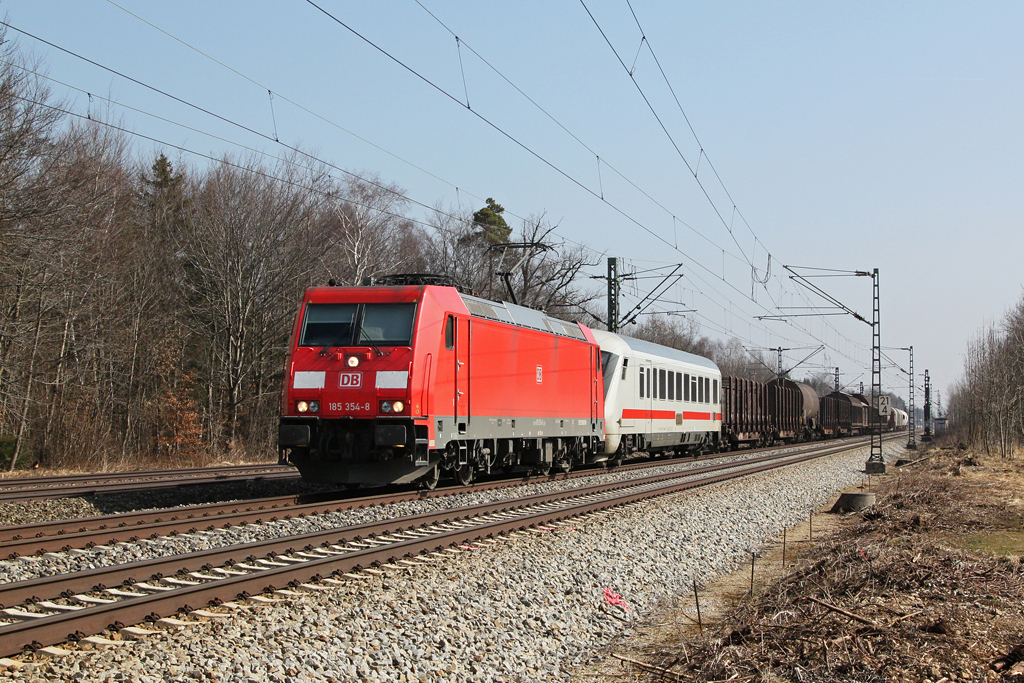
pixel 528 609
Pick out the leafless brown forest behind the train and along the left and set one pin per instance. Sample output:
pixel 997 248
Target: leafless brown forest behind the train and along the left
pixel 146 304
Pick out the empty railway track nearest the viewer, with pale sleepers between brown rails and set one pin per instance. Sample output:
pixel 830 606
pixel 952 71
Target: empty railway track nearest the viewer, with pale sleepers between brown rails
pixel 54 610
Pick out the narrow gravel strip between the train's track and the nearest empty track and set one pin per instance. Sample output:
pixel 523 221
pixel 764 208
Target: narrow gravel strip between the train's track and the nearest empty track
pixel 81 561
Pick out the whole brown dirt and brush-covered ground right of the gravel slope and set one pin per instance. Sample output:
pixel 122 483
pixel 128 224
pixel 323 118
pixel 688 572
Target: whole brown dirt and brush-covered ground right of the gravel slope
pixel 927 585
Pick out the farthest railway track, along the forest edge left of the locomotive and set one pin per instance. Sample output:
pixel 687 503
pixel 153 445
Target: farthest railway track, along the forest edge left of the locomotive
pixel 30 489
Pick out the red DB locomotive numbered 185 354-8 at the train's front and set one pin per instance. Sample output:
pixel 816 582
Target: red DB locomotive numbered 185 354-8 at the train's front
pixel 397 385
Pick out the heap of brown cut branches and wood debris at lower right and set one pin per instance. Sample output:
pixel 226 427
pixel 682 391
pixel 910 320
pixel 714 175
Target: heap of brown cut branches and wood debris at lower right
pixel 889 599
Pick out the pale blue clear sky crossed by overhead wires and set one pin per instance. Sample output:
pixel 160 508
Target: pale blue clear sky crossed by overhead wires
pixel 734 139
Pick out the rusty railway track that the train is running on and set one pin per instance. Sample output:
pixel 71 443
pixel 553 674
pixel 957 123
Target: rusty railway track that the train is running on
pixel 62 536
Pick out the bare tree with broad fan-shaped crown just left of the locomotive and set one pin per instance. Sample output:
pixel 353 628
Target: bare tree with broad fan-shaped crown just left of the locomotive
pixel 250 244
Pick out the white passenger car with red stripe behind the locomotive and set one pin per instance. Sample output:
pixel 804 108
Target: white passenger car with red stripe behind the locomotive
pixel 657 399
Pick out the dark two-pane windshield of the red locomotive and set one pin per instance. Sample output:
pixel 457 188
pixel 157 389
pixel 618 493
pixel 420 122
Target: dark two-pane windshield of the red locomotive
pixel 331 325
